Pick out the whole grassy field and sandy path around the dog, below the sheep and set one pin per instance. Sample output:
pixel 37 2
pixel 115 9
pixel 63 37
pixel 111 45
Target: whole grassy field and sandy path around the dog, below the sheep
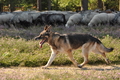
pixel 21 57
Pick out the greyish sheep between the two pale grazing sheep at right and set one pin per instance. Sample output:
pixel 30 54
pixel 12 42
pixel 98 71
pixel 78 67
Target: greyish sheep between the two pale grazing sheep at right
pixel 88 16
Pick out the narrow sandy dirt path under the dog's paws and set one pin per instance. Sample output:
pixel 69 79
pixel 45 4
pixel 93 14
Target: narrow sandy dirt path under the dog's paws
pixel 34 69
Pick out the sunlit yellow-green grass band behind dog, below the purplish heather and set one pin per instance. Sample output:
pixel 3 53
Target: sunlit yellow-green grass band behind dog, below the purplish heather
pixel 21 52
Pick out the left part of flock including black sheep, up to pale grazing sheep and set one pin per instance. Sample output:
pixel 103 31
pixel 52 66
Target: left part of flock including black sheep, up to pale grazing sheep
pixel 29 18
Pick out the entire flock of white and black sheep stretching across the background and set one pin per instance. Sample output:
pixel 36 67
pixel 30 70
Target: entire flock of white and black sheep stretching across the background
pixel 67 18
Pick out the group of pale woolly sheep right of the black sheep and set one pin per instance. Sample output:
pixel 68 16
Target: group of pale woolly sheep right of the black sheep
pixel 94 18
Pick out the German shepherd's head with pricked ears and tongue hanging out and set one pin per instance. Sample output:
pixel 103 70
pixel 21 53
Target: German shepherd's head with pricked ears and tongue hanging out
pixel 44 35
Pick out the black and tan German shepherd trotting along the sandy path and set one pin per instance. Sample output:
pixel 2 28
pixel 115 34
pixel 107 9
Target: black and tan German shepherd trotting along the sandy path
pixel 69 42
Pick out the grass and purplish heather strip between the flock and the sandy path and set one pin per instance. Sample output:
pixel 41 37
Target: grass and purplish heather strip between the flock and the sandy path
pixel 17 47
